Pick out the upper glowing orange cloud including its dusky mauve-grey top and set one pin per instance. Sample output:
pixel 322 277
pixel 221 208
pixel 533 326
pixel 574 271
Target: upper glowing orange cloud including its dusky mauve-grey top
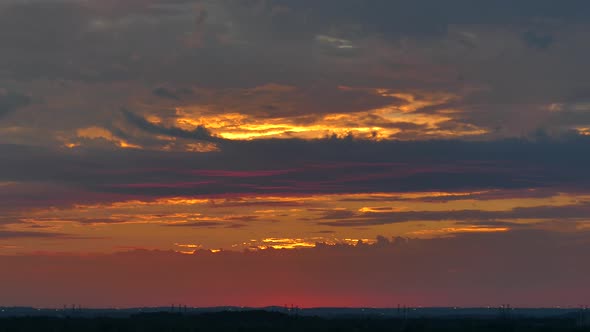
pixel 281 111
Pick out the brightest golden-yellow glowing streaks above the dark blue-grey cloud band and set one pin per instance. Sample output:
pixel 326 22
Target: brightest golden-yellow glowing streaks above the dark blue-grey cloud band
pixel 396 121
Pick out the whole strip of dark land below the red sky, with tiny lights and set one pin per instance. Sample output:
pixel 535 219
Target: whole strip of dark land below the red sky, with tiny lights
pixel 281 319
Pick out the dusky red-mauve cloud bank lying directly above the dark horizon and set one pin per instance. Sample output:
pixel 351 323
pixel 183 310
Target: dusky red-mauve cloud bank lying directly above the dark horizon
pixel 525 268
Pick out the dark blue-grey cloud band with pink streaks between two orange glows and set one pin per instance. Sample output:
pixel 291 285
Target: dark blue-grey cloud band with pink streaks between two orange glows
pixel 298 167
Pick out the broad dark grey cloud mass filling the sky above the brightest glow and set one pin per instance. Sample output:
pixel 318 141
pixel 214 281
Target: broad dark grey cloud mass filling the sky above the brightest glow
pixel 504 82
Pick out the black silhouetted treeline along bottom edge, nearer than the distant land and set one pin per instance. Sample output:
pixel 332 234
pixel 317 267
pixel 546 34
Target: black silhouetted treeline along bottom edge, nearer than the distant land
pixel 261 321
